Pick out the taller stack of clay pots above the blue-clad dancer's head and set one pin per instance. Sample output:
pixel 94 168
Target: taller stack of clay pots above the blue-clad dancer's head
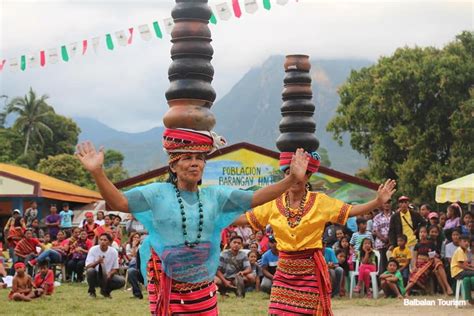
pixel 190 95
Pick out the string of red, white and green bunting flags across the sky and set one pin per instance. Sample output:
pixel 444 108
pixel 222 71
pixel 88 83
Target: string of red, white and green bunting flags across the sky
pixel 223 11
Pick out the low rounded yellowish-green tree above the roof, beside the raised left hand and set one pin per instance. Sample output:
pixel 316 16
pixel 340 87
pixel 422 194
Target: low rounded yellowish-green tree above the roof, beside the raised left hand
pixel 67 168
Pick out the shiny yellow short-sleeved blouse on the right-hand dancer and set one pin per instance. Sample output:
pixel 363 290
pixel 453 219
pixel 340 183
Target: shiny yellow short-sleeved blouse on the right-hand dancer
pixel 319 209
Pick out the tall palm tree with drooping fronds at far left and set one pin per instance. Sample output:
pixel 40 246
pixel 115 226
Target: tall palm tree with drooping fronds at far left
pixel 32 113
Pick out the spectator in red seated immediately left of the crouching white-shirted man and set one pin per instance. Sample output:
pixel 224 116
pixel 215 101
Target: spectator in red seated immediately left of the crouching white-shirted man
pixel 78 253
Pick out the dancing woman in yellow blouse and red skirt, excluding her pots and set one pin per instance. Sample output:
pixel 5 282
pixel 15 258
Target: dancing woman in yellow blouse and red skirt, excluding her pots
pixel 301 284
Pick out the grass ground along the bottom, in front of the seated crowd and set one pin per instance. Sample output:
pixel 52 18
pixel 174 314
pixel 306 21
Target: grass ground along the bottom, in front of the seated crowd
pixel 72 299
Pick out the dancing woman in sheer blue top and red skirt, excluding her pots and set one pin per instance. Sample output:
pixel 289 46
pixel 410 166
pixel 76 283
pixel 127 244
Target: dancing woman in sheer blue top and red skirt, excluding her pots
pixel 185 222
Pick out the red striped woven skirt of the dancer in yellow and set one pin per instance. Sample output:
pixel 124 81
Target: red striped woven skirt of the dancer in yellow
pixel 301 284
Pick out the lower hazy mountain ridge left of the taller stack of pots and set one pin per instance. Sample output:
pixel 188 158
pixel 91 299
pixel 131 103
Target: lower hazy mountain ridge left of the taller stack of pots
pixel 142 151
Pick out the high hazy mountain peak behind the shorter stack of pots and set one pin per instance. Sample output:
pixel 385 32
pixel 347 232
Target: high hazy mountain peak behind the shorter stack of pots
pixel 256 99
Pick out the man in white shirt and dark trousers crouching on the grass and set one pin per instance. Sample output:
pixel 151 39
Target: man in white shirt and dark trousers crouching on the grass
pixel 102 267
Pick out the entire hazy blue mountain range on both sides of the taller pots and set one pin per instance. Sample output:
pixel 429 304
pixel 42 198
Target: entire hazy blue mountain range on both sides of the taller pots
pixel 250 112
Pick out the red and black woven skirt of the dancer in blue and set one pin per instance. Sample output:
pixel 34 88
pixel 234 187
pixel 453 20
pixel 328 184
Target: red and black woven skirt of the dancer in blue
pixel 169 297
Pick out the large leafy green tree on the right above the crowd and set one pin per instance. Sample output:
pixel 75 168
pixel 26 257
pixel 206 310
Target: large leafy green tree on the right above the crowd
pixel 411 114
